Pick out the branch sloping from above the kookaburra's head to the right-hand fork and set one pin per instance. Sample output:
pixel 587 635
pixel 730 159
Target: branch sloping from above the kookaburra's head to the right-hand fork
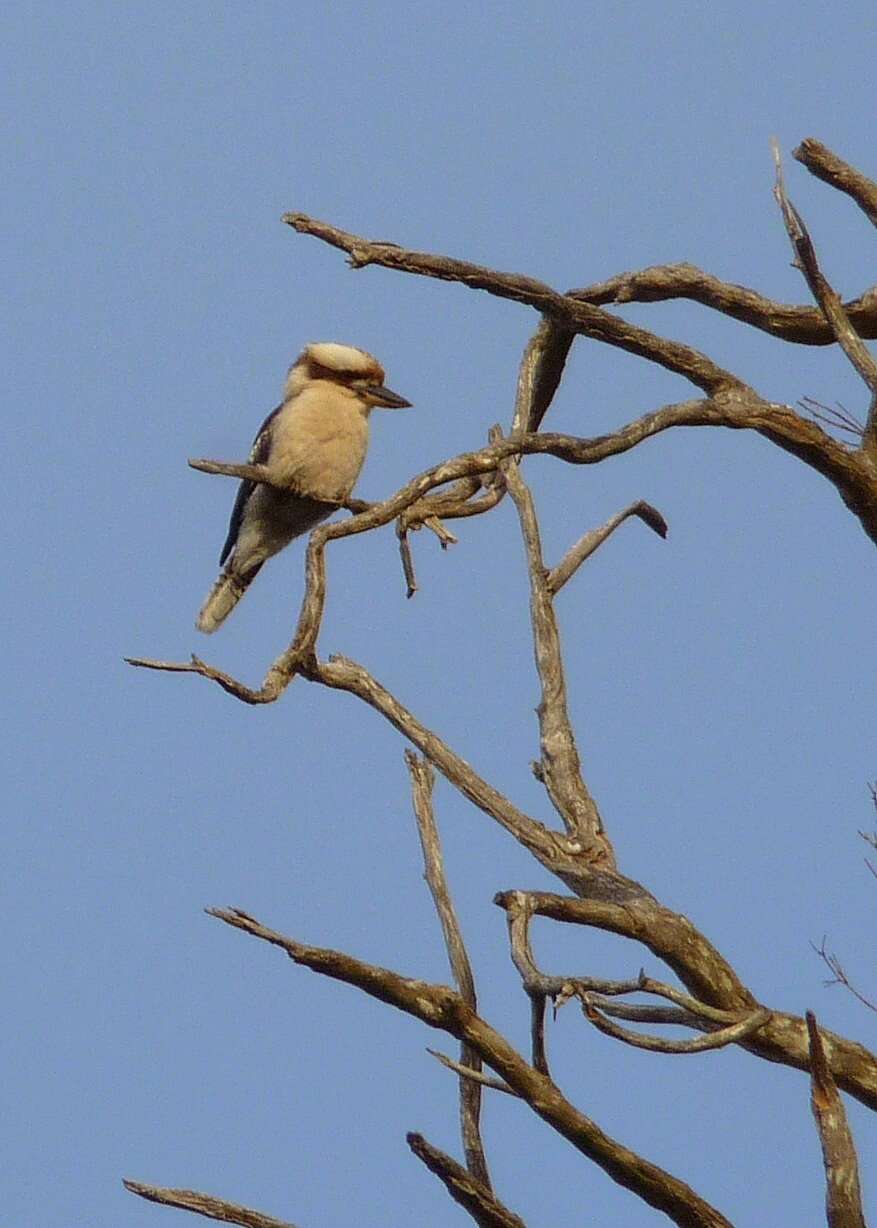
pixel 568 315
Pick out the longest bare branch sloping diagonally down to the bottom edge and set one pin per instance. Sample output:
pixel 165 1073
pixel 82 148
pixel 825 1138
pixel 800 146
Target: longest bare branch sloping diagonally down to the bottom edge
pixel 442 1008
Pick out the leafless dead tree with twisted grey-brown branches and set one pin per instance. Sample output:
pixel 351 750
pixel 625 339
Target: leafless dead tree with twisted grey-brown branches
pixel 708 998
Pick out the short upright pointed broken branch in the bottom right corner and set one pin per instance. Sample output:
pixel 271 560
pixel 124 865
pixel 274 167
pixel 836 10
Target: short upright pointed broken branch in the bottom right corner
pixel 843 1193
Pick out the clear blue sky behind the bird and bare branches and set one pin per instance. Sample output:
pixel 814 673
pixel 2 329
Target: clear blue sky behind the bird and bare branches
pixel 722 682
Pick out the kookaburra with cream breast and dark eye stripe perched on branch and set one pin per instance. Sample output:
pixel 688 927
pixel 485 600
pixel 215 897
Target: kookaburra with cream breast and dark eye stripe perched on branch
pixel 314 445
